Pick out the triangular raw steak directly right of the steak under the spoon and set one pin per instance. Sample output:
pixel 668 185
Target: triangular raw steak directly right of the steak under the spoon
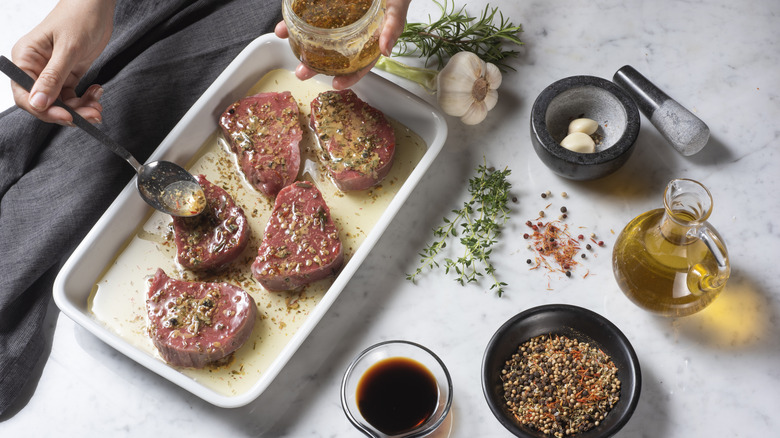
pixel 301 244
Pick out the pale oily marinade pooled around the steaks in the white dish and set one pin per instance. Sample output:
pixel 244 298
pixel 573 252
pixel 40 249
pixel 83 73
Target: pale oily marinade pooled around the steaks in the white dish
pixel 118 298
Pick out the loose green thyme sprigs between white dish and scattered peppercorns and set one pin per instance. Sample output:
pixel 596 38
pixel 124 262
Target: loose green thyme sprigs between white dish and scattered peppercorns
pixel 479 221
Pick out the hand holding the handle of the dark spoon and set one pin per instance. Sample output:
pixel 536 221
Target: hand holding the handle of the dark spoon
pixel 57 53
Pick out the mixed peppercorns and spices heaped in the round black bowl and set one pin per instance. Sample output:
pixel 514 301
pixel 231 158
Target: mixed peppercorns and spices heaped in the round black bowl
pixel 560 386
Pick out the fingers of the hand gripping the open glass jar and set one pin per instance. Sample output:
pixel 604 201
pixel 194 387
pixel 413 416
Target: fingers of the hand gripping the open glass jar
pixel 395 17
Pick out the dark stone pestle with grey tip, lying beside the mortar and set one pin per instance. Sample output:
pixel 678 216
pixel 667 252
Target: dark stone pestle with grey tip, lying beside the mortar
pixel 683 130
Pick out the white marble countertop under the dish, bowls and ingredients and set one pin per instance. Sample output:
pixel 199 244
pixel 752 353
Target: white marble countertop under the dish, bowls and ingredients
pixel 712 374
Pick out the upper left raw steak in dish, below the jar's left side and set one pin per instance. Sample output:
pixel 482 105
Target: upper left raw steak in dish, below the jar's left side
pixel 264 131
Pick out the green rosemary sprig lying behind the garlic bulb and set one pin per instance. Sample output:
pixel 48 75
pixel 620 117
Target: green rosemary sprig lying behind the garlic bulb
pixel 456 31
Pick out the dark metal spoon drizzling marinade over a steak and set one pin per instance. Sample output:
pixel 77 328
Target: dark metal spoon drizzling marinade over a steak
pixel 163 185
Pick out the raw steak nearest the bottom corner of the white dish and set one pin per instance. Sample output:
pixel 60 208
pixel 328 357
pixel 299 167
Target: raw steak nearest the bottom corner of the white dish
pixel 193 324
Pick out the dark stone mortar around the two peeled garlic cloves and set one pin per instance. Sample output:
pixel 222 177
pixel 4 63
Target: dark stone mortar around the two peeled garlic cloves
pixel 594 98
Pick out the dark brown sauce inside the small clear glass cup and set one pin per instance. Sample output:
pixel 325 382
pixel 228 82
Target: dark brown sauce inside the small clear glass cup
pixel 396 395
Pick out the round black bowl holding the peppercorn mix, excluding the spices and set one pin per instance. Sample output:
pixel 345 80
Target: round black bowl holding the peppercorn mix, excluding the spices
pixel 572 322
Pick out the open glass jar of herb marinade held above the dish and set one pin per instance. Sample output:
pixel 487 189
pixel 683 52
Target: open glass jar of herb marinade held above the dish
pixel 324 44
